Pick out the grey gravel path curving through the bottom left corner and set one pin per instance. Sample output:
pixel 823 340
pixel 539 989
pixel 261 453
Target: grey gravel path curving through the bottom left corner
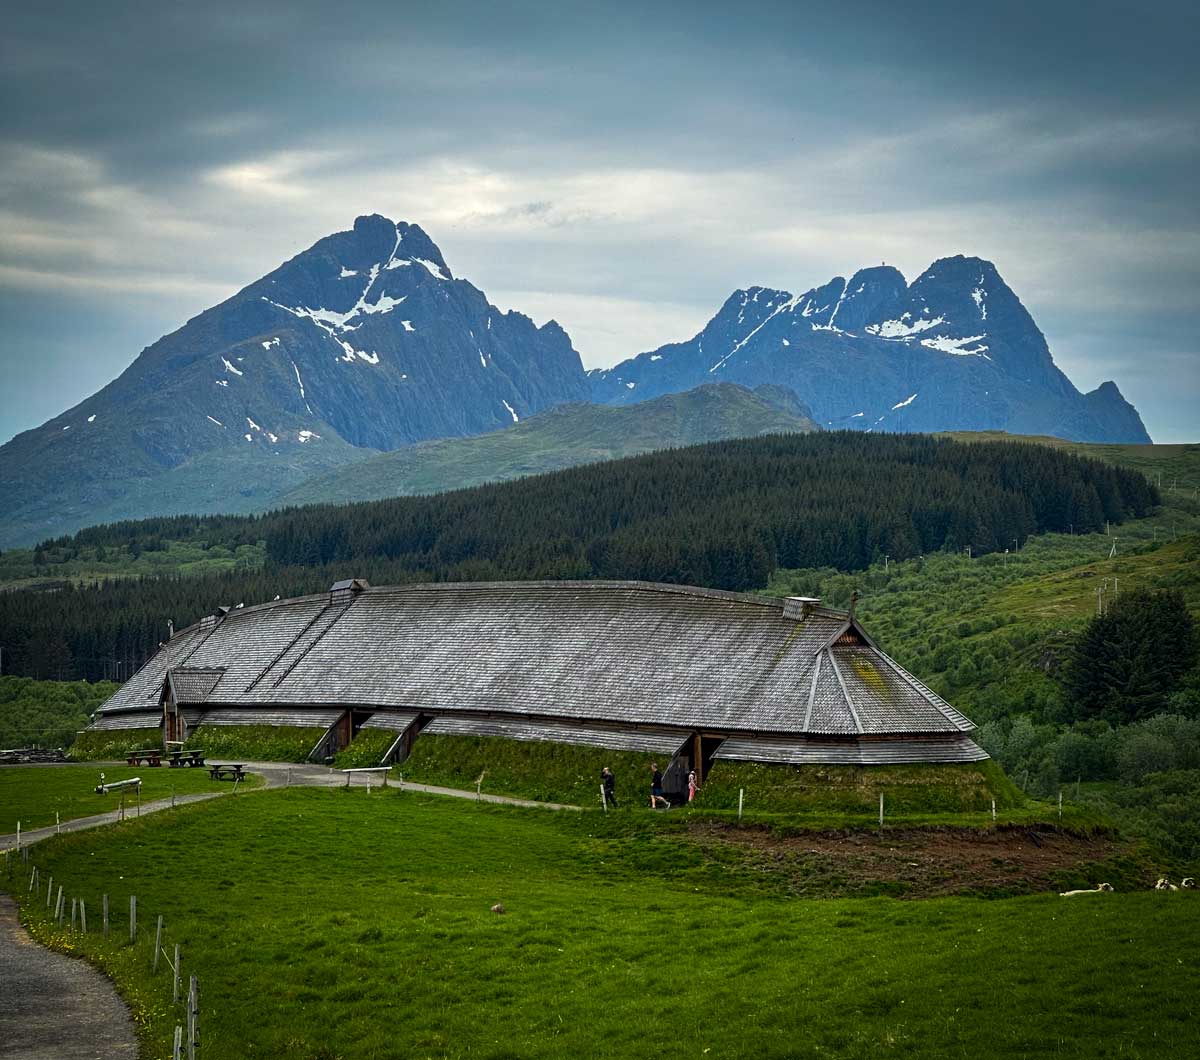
pixel 56 1008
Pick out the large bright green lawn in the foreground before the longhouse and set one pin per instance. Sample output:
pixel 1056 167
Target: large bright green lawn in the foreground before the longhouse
pixel 343 925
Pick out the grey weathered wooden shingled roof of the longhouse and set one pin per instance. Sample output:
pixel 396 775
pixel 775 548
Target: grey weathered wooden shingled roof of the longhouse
pixel 625 654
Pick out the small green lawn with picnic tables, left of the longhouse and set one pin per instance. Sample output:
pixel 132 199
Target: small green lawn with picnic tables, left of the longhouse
pixel 32 794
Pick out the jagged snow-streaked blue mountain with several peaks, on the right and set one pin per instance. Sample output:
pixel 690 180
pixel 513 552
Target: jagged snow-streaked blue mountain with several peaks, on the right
pixel 956 350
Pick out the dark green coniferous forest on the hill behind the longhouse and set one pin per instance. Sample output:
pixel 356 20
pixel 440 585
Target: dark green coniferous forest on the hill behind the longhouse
pixel 724 516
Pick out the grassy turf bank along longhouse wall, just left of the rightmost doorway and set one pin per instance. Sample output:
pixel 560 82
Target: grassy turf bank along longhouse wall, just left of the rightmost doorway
pixel 537 770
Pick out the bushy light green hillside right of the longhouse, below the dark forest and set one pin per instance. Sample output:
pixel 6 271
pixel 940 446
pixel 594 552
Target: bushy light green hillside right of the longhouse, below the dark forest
pixel 995 634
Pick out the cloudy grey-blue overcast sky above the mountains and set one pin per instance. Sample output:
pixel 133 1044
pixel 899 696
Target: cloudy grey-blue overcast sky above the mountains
pixel 619 169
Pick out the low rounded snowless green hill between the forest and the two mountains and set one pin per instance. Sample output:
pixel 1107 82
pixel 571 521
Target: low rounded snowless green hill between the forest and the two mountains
pixel 563 438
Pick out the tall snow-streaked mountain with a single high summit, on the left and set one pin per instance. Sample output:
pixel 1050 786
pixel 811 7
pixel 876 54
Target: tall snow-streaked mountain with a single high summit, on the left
pixel 362 344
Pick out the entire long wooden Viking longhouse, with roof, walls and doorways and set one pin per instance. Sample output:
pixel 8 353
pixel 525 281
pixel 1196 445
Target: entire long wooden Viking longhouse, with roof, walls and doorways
pixel 689 674
